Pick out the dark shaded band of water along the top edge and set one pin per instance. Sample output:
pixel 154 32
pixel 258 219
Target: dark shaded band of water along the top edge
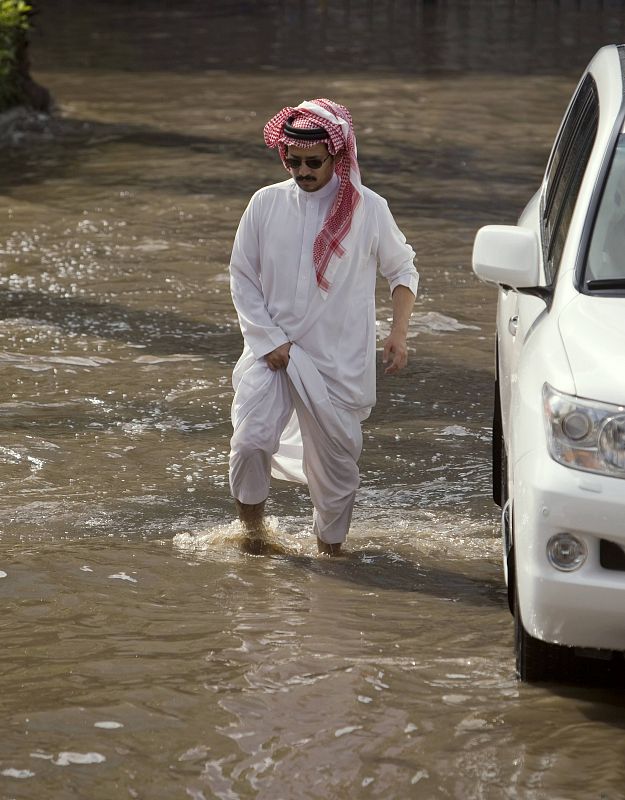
pixel 419 36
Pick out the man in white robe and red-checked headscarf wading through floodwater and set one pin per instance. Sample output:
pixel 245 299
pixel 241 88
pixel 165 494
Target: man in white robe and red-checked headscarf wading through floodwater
pixel 303 273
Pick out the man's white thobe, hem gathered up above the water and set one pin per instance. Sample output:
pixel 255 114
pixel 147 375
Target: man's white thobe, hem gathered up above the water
pixel 328 387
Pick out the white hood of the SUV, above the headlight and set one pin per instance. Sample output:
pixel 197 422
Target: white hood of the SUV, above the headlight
pixel 593 334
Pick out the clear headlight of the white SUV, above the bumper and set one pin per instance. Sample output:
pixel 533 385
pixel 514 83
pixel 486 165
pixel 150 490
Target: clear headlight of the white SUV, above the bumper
pixel 583 434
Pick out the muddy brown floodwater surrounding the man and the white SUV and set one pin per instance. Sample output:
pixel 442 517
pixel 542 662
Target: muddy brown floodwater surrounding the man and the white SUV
pixel 143 654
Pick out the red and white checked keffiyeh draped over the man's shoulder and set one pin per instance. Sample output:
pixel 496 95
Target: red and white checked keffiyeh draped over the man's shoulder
pixel 342 220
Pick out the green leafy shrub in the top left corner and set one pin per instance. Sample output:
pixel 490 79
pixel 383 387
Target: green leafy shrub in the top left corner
pixel 14 22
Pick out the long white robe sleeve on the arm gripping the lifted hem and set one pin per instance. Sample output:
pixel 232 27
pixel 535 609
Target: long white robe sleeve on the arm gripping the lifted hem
pixel 258 329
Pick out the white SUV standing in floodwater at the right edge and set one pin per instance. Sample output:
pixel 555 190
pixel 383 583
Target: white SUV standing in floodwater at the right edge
pixel 559 422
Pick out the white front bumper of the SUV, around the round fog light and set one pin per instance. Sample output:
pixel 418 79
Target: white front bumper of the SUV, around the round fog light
pixel 584 608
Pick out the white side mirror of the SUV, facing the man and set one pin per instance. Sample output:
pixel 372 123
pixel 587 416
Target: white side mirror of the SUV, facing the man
pixel 508 256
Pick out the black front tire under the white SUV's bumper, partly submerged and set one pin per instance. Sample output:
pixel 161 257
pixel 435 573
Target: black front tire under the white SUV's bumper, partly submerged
pixel 541 661
